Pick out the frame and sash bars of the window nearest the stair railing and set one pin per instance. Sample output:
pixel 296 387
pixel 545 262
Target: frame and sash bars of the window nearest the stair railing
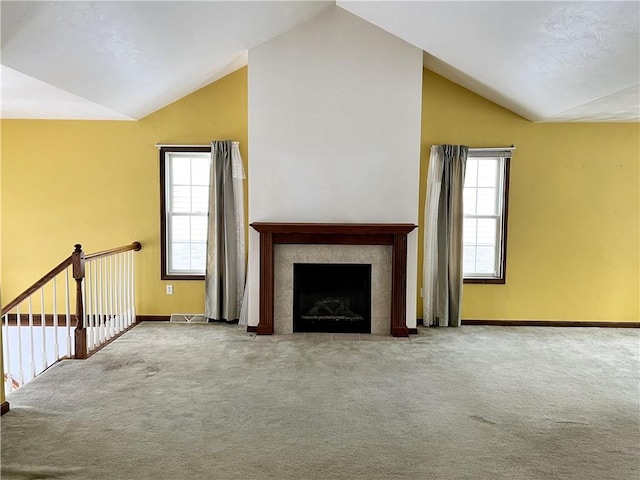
pixel 167 213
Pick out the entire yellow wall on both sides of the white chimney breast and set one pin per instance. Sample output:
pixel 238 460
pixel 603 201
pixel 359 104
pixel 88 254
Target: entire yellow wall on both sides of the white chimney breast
pixel 573 248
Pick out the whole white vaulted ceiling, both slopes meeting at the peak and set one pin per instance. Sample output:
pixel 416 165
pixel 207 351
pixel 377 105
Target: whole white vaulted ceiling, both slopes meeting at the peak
pixel 547 61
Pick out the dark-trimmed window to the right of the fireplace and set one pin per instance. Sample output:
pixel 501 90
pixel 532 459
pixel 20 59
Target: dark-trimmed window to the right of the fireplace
pixel 486 191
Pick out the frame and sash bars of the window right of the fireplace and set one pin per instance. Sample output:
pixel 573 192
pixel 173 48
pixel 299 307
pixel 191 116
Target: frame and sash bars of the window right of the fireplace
pixel 502 199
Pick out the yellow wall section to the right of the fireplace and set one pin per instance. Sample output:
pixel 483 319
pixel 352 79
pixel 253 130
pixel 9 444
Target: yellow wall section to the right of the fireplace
pixel 573 248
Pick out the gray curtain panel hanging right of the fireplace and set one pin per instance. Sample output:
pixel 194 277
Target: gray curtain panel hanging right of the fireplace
pixel 444 217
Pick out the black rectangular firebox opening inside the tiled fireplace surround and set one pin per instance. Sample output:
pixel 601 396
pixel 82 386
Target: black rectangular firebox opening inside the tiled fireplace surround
pixel 332 297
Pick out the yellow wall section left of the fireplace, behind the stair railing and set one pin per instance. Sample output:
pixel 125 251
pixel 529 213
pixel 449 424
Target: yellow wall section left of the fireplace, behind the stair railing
pixel 97 183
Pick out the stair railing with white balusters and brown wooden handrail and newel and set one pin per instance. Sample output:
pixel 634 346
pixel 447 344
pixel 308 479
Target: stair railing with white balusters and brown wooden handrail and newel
pixel 33 339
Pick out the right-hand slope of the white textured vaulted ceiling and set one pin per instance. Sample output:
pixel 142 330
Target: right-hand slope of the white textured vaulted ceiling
pixel 541 60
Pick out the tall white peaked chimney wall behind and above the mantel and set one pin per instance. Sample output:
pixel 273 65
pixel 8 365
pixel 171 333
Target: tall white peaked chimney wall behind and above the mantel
pixel 334 131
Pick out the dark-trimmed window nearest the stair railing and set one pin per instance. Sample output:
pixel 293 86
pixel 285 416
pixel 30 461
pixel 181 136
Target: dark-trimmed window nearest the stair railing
pixel 184 204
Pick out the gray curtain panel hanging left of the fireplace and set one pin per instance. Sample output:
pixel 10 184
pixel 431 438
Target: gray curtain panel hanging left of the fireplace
pixel 225 272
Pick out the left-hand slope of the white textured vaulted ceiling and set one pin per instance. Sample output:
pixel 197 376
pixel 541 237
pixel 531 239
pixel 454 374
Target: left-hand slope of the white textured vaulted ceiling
pixel 136 57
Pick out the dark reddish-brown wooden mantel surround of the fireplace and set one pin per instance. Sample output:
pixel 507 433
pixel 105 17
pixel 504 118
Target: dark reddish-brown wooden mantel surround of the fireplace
pixel 394 234
